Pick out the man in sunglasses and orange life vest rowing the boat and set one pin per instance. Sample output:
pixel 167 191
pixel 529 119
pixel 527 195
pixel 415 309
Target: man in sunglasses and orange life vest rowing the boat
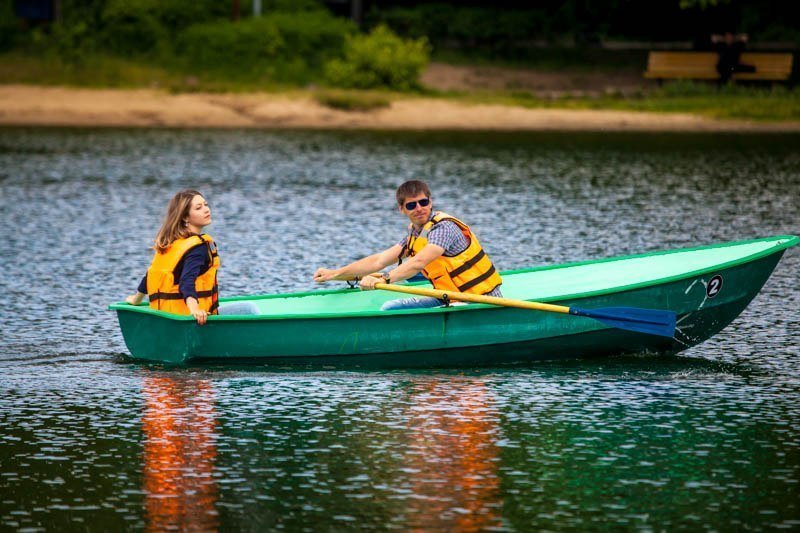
pixel 440 246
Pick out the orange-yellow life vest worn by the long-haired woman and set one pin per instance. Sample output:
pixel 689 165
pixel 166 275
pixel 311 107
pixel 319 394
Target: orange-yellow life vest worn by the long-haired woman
pixel 162 287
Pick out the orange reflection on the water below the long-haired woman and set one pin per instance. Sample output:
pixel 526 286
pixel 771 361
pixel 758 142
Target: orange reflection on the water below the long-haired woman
pixel 180 432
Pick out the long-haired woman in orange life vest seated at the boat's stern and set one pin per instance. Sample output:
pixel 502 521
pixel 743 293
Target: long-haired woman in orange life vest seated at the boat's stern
pixel 182 278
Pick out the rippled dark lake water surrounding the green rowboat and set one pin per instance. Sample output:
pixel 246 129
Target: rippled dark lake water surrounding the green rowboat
pixel 708 439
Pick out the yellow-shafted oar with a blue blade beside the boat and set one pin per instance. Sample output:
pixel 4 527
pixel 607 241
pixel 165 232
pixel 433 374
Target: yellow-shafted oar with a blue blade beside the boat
pixel 652 321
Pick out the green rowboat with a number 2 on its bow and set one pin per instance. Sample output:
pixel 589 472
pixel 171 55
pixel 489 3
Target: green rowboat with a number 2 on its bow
pixel 707 287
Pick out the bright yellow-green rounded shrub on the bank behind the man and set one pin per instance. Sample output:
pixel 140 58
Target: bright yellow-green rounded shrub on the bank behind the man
pixel 380 59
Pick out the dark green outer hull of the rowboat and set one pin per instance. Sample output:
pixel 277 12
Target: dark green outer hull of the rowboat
pixel 463 335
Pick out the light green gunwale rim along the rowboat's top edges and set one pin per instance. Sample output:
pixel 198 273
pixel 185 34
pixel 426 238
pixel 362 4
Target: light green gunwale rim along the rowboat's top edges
pixel 791 240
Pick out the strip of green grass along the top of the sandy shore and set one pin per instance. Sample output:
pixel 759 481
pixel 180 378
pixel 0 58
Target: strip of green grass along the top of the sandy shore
pixel 730 102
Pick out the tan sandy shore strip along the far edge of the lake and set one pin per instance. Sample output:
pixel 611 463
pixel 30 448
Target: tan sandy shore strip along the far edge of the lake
pixel 22 105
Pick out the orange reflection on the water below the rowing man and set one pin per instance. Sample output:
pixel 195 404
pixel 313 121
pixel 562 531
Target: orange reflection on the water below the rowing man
pixel 453 457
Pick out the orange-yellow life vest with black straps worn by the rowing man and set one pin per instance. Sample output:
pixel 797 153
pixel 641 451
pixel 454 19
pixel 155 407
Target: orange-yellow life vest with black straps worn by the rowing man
pixel 470 271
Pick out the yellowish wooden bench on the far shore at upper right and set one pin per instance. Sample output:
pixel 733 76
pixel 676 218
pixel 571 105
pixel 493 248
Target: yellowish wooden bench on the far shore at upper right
pixel 703 66
